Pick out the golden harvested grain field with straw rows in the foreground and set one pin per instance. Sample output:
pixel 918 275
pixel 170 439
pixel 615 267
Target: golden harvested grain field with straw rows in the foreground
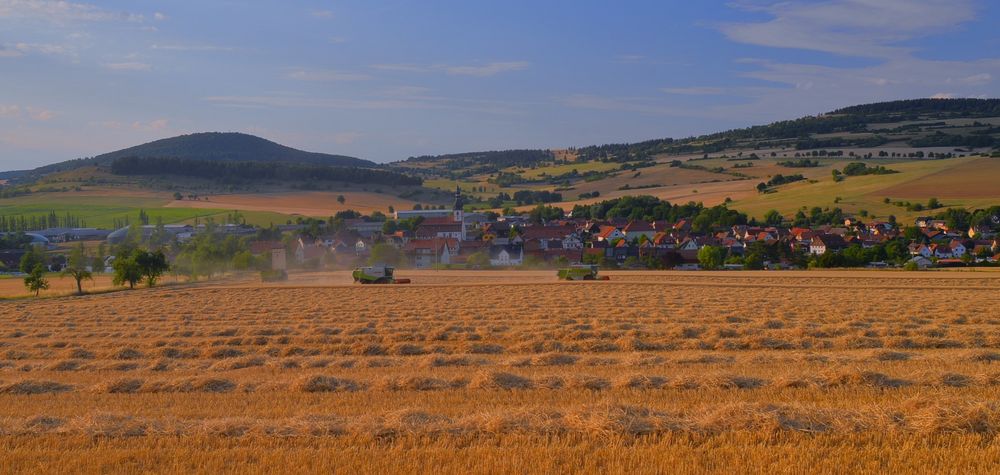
pixel 493 372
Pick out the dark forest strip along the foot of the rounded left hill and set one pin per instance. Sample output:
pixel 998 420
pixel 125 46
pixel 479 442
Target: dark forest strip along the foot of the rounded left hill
pixel 227 171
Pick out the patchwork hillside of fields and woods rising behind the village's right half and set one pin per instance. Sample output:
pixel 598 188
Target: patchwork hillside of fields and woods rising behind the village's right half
pixel 920 139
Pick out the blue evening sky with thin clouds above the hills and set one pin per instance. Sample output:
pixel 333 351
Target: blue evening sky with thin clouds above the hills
pixel 389 79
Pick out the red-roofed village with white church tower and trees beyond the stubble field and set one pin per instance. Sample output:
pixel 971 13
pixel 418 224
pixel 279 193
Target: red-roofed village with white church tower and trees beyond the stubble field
pixel 455 238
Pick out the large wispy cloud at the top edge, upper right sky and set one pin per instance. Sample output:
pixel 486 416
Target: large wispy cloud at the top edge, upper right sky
pixel 860 28
